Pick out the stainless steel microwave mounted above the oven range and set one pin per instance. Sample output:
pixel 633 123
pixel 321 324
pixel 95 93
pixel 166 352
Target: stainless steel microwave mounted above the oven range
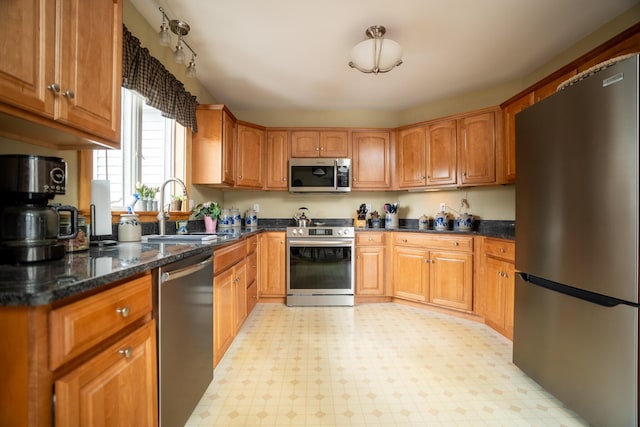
pixel 319 175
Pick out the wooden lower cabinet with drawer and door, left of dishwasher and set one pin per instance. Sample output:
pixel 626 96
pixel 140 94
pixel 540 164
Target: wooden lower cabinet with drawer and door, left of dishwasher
pixel 91 362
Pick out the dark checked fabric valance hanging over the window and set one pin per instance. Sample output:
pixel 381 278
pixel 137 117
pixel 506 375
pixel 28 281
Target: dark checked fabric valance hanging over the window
pixel 146 75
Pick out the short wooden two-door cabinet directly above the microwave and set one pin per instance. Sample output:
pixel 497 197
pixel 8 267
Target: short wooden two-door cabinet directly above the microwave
pixel 316 143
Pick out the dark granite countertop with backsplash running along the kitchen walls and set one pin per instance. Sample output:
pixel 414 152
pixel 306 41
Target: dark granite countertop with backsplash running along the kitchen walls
pixel 78 272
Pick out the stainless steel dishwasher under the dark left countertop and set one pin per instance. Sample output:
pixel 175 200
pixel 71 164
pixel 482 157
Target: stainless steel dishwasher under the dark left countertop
pixel 184 312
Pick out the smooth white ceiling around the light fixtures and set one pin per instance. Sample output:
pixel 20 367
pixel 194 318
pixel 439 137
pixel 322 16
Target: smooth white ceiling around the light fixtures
pixel 293 54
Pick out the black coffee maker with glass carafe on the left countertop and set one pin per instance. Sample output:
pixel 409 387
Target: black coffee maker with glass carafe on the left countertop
pixel 29 225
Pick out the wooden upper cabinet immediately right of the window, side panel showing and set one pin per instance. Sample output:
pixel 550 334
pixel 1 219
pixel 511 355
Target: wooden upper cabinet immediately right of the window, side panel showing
pixel 213 146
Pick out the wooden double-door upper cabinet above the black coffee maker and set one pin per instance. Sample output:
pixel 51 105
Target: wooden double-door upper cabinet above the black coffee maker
pixel 61 70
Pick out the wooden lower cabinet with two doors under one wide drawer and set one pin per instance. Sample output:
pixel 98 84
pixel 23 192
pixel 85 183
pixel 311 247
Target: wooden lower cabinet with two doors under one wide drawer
pixel 435 270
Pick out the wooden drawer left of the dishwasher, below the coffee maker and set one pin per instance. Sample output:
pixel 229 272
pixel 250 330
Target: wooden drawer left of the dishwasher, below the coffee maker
pixel 77 327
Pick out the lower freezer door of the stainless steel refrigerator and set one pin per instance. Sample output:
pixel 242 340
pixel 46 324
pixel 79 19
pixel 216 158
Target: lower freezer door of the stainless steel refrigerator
pixel 582 353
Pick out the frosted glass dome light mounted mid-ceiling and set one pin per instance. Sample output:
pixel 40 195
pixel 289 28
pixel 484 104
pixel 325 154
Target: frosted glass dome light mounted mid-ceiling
pixel 376 54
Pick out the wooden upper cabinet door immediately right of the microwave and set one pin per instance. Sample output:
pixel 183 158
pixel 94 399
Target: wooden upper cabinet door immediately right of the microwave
pixel 371 164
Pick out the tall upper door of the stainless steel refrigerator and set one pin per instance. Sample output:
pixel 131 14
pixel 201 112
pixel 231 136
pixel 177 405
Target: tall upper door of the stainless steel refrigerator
pixel 577 184
